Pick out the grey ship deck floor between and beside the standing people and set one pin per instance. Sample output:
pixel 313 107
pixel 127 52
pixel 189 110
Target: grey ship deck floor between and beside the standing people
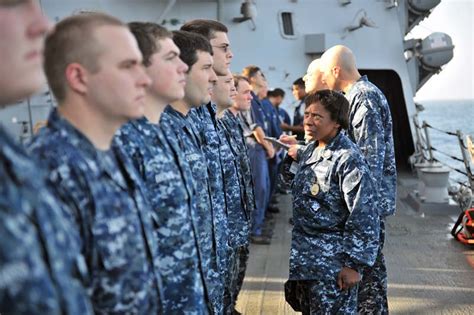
pixel 428 271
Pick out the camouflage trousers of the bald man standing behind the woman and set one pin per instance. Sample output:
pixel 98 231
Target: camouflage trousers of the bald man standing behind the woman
pixel 372 297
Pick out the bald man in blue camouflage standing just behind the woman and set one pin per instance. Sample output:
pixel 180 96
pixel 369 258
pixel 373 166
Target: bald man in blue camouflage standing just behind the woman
pixel 371 129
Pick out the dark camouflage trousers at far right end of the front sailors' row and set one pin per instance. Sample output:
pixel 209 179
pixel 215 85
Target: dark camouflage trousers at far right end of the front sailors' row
pixel 236 277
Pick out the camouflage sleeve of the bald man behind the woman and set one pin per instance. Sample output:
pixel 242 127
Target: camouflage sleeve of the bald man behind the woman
pixel 368 133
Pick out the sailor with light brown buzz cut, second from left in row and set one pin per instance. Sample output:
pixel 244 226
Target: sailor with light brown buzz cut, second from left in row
pixel 99 90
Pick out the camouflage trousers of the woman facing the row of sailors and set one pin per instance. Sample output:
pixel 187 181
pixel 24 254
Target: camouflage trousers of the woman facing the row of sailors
pixel 325 297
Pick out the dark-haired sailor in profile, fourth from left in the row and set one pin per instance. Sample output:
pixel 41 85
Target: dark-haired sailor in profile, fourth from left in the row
pixel 196 52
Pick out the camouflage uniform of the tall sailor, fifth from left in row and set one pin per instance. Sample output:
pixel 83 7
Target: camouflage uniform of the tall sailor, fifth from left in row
pixel 203 119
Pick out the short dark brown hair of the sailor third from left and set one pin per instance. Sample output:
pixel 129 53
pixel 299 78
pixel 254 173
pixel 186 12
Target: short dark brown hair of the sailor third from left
pixel 148 35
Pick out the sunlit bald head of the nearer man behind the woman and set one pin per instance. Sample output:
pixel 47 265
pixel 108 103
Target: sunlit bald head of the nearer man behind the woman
pixel 338 67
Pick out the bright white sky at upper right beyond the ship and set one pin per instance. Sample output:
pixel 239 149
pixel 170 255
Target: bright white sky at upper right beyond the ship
pixel 456 80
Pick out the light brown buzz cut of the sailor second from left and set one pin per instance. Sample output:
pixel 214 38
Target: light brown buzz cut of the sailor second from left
pixel 73 41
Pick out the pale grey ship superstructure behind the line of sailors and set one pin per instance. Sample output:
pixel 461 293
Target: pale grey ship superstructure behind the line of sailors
pixel 282 37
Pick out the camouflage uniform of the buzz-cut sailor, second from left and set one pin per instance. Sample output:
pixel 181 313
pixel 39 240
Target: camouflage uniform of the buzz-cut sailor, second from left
pixel 104 196
